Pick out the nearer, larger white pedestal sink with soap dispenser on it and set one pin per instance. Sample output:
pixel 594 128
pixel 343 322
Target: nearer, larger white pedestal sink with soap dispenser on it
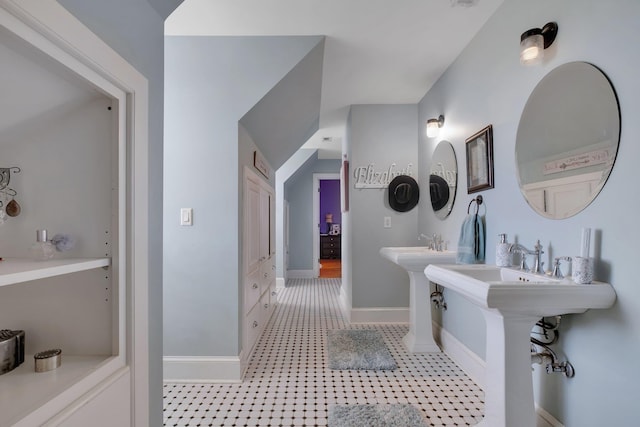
pixel 512 302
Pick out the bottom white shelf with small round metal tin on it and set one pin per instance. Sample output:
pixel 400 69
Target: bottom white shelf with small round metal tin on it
pixel 26 394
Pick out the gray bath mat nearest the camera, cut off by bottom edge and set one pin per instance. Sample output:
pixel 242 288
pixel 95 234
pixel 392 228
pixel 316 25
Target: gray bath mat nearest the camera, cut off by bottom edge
pixel 397 415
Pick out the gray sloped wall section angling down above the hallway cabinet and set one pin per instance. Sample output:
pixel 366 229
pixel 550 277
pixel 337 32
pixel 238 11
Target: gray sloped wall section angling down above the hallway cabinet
pixel 288 115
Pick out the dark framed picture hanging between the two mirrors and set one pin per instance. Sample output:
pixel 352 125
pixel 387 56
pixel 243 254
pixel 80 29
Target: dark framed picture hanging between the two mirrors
pixel 480 160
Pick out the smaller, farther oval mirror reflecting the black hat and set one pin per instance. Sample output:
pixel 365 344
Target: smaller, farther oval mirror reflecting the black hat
pixel 443 179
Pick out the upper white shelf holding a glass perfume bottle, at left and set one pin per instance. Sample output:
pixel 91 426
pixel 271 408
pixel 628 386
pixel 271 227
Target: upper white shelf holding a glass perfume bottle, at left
pixel 17 270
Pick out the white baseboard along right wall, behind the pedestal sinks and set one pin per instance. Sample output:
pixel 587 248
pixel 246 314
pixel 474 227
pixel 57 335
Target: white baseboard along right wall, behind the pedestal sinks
pixel 474 367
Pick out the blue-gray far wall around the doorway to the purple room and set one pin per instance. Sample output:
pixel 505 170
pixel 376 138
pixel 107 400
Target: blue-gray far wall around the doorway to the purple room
pixel 299 192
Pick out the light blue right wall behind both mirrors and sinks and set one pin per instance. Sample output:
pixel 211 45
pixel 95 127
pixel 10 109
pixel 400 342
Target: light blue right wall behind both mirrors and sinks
pixel 486 84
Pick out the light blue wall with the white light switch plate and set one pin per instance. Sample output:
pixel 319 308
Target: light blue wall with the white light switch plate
pixel 211 83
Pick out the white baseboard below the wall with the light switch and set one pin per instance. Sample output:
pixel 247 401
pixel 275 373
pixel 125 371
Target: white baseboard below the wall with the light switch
pixel 213 369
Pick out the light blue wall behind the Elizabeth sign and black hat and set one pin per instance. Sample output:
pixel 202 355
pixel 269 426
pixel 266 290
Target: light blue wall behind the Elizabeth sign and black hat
pixel 382 135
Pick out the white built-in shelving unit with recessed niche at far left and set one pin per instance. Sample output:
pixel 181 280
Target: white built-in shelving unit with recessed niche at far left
pixel 69 121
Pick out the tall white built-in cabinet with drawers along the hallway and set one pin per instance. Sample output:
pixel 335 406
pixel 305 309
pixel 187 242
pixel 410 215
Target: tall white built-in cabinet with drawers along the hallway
pixel 259 262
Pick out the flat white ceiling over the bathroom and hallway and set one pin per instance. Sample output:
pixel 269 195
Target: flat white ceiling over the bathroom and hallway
pixel 376 51
